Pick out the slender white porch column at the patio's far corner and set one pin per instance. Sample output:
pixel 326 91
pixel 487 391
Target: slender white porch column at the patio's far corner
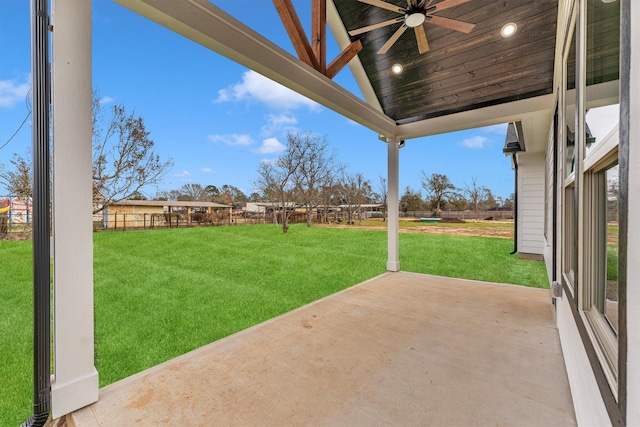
pixel 393 260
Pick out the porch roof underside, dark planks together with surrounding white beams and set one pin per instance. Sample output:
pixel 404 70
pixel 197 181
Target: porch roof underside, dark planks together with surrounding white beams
pixel 463 81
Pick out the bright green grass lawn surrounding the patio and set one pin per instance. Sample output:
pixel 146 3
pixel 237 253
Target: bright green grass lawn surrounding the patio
pixel 160 293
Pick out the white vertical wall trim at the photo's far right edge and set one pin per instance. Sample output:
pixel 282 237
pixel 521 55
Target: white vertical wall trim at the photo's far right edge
pixel 630 74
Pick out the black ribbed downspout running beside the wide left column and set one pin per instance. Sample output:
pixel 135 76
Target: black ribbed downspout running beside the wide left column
pixel 41 217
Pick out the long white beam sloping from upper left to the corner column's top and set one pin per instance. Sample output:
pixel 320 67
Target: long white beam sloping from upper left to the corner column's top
pixel 204 23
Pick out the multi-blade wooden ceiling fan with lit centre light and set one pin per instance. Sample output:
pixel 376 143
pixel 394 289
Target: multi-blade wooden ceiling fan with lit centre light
pixel 415 15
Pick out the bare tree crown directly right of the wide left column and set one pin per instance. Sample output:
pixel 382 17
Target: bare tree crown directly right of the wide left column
pixel 123 157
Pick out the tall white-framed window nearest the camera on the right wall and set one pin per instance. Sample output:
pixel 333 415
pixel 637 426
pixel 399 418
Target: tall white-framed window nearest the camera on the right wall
pixel 597 181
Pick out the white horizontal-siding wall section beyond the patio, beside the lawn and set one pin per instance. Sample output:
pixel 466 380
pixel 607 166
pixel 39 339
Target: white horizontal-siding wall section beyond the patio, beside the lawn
pixel 531 203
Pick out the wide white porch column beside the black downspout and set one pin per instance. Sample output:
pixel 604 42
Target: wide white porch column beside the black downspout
pixel 75 380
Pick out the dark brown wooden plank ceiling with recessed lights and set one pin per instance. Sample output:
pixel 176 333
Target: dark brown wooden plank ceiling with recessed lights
pixel 459 72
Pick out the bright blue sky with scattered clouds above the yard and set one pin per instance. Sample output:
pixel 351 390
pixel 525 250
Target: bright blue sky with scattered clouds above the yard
pixel 218 120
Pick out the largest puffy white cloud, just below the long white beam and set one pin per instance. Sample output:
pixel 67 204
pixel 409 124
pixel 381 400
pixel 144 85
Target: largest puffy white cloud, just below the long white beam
pixel 258 88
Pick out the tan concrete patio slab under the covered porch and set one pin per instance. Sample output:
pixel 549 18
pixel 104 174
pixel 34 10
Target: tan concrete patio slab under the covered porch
pixel 399 349
